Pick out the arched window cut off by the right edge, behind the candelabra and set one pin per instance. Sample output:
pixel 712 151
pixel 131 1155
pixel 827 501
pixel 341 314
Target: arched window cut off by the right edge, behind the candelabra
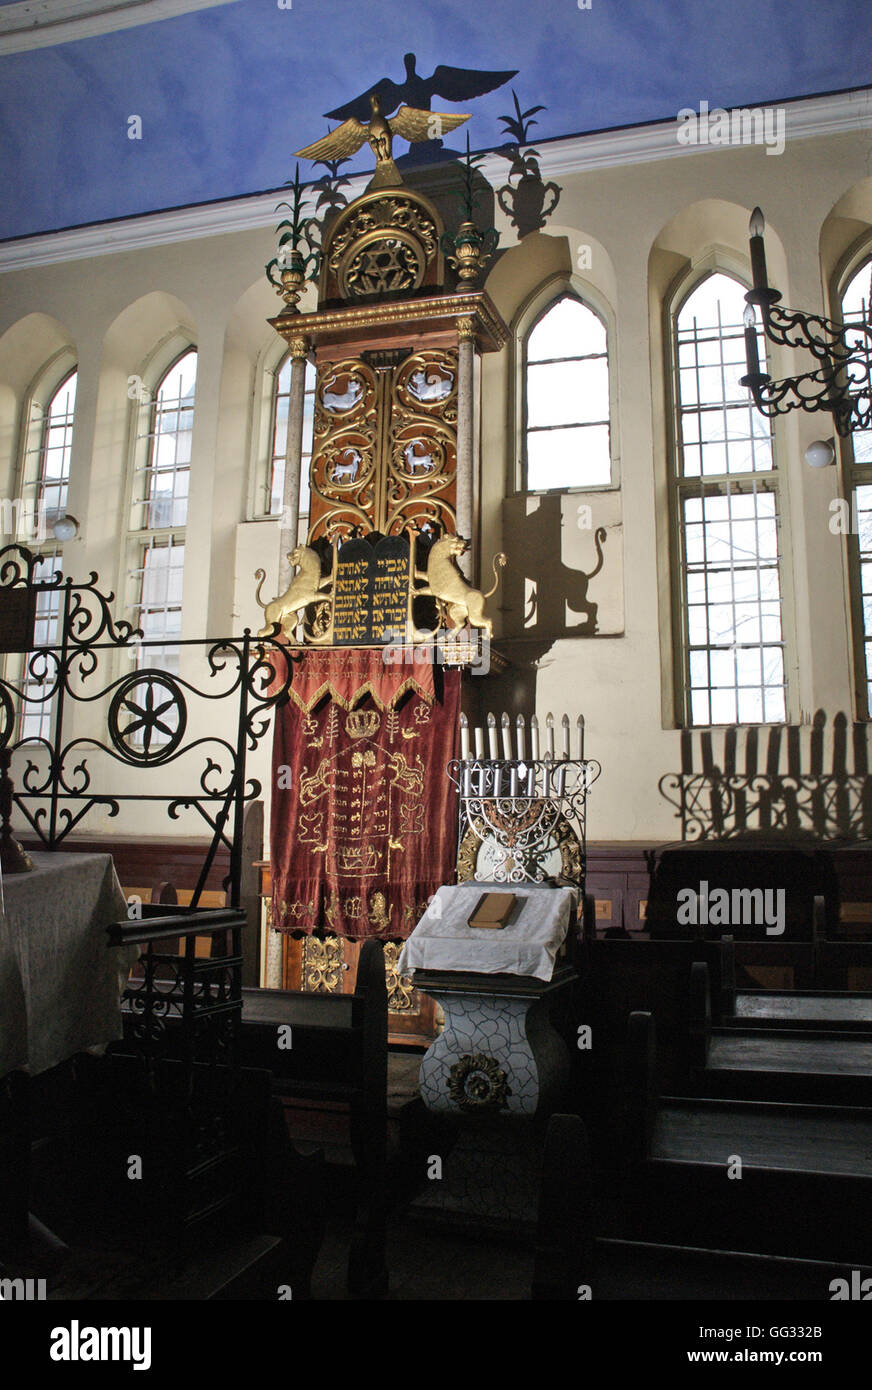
pixel 857 459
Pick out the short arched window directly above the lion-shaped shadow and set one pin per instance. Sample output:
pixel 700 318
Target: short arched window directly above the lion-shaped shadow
pixel 567 400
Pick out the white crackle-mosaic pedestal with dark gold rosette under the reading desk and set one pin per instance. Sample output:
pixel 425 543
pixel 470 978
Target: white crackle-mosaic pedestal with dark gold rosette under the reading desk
pixel 500 1071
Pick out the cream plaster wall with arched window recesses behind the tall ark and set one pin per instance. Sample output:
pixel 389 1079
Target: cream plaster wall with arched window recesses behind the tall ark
pixel 649 226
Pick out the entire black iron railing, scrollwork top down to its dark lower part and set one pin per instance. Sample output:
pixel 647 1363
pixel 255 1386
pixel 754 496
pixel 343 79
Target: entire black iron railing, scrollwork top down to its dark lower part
pixel 150 736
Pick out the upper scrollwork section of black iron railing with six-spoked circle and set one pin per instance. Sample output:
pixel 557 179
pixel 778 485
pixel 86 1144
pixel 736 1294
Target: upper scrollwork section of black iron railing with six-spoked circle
pixel 148 719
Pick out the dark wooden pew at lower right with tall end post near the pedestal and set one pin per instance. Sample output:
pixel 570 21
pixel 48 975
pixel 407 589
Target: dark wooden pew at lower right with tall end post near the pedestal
pixel 682 1172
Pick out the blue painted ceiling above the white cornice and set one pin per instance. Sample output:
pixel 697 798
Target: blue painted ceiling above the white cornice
pixel 226 95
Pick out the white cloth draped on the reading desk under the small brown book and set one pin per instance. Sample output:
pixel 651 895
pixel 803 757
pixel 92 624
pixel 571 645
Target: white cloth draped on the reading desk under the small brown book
pixel 528 945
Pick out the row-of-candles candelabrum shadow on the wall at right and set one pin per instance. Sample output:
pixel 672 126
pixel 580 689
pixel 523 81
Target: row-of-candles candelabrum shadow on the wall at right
pixel 784 780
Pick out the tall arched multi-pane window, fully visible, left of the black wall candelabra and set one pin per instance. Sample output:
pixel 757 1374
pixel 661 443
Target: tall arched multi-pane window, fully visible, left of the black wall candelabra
pixel 731 651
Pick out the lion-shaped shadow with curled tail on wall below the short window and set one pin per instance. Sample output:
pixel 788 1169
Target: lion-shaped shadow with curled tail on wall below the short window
pixel 543 596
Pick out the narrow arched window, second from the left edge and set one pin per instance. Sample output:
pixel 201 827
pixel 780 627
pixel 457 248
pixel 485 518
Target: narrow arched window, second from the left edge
pixel 159 511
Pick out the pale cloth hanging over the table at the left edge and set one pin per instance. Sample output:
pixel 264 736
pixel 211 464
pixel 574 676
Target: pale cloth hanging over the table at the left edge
pixel 60 983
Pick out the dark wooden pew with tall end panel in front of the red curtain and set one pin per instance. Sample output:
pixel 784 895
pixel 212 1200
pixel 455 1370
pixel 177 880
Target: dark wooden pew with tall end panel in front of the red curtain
pixel 334 1047
